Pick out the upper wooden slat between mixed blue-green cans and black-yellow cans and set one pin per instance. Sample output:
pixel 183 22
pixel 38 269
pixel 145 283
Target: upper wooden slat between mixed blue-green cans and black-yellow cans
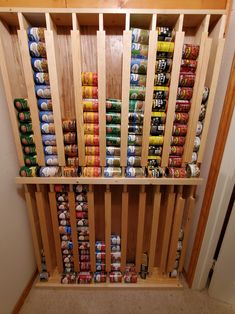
pixel 149 91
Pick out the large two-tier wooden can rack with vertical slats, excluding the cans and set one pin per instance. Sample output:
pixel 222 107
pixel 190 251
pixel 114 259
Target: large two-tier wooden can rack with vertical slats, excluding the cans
pixel 99 40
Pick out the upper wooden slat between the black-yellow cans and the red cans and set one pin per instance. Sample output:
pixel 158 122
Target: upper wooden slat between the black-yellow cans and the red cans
pixel 179 41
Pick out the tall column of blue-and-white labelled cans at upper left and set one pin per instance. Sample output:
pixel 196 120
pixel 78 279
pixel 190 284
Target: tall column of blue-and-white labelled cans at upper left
pixel 37 50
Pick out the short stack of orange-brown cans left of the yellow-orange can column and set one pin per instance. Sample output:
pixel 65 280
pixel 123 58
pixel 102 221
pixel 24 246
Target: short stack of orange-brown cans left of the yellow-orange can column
pixel 72 168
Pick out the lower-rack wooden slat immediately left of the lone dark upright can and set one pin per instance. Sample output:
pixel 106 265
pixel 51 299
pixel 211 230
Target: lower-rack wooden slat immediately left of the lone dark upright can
pixel 140 227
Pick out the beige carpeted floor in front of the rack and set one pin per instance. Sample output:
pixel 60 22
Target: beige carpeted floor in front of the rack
pixel 125 301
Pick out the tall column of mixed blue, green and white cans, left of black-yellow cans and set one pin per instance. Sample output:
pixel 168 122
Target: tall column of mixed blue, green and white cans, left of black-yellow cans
pixel 138 68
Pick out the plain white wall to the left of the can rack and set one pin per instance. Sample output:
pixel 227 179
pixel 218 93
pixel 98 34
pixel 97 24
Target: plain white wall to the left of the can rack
pixel 17 262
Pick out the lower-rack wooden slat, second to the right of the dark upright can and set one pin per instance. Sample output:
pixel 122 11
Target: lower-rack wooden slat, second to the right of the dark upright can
pixel 167 228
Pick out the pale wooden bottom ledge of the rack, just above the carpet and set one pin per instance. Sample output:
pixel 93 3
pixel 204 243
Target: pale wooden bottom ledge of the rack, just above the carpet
pixel 153 281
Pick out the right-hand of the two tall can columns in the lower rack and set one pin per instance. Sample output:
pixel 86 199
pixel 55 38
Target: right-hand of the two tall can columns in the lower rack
pixel 81 208
